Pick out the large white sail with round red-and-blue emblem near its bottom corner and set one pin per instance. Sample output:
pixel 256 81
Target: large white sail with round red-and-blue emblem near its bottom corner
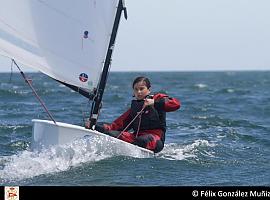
pixel 64 39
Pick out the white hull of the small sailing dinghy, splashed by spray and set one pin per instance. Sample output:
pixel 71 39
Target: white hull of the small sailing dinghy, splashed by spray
pixel 45 133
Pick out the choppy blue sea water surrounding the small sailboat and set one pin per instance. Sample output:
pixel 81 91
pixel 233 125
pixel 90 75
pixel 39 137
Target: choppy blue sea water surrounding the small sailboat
pixel 219 137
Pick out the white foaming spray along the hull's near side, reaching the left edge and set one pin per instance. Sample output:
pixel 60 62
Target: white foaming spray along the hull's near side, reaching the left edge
pixel 28 164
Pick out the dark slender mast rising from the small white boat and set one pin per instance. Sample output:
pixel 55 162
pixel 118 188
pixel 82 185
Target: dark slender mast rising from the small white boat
pixel 103 79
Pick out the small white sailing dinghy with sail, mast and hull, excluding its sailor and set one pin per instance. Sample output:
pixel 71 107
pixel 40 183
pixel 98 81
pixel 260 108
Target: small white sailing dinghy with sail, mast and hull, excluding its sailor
pixel 71 42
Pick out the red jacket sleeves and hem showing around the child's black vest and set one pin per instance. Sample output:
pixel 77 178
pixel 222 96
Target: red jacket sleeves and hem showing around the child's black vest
pixel 162 101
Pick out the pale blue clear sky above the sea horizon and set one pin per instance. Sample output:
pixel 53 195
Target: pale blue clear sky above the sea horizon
pixel 191 35
